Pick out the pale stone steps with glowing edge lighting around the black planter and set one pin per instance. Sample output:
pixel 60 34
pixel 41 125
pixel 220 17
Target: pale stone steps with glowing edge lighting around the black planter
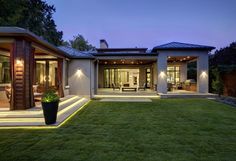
pixel 34 116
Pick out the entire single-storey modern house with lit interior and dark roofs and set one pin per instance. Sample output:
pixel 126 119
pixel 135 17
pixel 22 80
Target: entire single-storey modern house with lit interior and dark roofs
pixel 29 65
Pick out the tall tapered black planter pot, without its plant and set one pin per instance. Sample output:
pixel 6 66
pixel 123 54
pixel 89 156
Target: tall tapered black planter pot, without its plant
pixel 50 112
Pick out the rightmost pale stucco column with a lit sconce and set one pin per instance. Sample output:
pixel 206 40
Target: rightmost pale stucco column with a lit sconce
pixel 202 73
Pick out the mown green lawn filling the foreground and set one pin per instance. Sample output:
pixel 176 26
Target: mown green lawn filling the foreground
pixel 168 129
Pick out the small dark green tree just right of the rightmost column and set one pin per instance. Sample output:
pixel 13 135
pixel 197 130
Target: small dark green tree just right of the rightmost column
pixel 217 83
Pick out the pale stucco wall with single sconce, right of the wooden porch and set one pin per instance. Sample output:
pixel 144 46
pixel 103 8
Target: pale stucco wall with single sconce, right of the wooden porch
pixel 81 83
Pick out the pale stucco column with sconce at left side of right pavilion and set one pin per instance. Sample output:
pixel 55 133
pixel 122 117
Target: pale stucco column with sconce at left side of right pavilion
pixel 161 73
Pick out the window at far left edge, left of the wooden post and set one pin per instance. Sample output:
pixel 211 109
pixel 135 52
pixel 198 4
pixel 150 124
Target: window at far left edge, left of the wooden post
pixel 4 70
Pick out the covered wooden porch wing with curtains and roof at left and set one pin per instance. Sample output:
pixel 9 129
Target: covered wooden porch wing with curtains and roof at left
pixel 28 67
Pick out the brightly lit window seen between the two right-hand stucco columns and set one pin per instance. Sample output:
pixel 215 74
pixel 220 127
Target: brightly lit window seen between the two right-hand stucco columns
pixel 173 74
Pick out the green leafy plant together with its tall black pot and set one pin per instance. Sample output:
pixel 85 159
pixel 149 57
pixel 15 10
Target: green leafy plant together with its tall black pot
pixel 50 101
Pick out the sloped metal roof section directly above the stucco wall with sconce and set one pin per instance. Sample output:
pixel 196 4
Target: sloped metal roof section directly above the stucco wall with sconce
pixel 73 53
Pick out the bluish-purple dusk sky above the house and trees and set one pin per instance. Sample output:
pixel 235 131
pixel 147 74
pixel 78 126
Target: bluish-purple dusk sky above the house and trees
pixel 147 23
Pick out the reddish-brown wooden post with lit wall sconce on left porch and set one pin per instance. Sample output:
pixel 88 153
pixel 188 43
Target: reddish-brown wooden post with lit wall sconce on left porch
pixel 22 59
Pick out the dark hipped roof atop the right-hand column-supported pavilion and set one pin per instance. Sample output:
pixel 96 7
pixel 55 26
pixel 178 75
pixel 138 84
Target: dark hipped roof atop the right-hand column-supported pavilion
pixel 182 46
